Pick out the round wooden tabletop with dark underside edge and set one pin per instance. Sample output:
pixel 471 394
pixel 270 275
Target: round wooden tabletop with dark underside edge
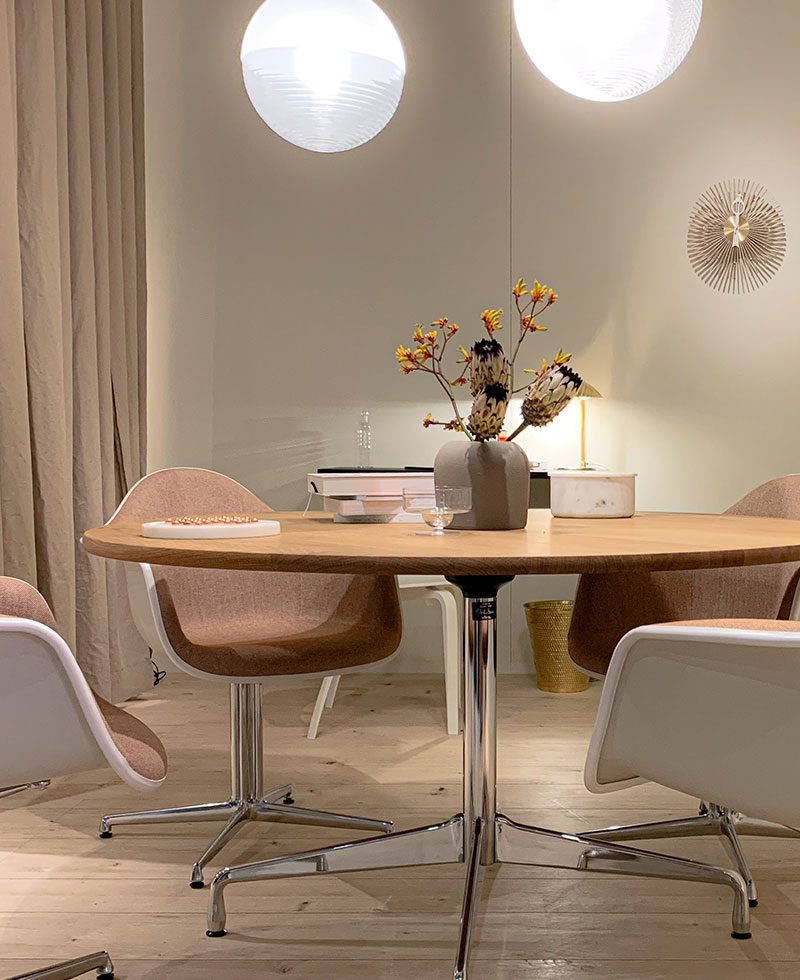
pixel 548 545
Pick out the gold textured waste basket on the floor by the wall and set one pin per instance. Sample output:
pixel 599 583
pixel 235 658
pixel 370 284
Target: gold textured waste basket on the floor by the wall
pixel 548 624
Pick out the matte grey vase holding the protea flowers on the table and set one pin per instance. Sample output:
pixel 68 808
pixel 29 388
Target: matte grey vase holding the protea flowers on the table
pixel 498 474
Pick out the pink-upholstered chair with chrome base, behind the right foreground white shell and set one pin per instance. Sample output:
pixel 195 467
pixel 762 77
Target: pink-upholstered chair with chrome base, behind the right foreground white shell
pixel 607 607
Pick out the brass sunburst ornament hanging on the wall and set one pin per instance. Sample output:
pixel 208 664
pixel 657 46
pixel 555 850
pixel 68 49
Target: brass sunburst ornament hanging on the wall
pixel 737 238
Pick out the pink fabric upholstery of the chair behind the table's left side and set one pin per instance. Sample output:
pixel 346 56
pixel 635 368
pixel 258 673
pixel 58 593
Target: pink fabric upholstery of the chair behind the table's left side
pixel 261 624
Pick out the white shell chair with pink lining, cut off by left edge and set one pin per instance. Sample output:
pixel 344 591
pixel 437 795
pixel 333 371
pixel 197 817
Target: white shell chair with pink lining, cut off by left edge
pixel 51 724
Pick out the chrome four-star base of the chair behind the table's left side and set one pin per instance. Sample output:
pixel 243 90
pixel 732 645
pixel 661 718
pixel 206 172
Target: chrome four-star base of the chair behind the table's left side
pixel 248 800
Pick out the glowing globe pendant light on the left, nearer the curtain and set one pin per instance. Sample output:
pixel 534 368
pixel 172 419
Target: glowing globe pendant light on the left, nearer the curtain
pixel 326 75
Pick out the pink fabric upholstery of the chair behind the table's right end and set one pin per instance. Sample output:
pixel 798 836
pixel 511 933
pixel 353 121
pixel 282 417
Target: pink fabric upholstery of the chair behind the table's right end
pixel 608 606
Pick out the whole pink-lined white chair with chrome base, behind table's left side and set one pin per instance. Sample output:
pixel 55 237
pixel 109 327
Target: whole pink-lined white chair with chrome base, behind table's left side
pixel 244 628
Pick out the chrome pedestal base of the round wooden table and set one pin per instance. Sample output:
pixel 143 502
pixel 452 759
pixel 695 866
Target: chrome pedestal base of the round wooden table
pixel 479 836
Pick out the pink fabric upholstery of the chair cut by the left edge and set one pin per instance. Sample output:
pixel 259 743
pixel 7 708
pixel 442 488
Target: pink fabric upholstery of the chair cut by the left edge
pixel 139 745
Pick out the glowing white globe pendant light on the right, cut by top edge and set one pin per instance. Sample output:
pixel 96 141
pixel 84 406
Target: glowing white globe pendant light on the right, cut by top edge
pixel 607 50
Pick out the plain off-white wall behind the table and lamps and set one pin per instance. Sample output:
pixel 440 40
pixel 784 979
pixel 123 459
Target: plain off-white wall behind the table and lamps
pixel 281 280
